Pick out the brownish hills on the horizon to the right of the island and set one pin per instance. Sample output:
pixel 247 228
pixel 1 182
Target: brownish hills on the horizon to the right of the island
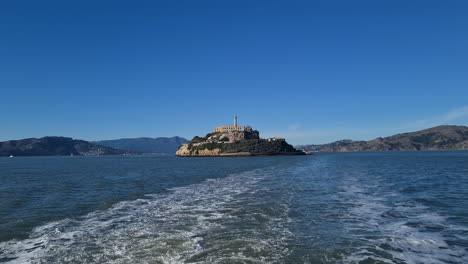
pixel 436 138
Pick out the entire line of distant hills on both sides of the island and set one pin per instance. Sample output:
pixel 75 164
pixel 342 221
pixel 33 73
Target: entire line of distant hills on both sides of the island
pixel 436 138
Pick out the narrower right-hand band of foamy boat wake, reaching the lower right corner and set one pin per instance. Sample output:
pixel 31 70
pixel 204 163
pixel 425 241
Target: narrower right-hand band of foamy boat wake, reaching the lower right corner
pixel 393 231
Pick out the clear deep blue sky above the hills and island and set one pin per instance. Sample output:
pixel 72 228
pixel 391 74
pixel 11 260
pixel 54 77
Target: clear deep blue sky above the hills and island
pixel 311 71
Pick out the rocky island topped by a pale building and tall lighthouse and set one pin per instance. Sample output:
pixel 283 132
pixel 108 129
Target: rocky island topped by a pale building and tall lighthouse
pixel 235 140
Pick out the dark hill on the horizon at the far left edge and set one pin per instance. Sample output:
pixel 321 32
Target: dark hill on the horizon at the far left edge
pixel 54 146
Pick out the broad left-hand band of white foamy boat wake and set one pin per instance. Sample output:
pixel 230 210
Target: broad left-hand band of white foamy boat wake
pixel 216 221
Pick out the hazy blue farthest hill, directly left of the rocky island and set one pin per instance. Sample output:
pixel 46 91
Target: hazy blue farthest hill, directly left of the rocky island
pixel 145 144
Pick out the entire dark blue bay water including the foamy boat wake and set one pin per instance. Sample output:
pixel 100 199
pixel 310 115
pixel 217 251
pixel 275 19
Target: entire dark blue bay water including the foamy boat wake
pixel 391 207
